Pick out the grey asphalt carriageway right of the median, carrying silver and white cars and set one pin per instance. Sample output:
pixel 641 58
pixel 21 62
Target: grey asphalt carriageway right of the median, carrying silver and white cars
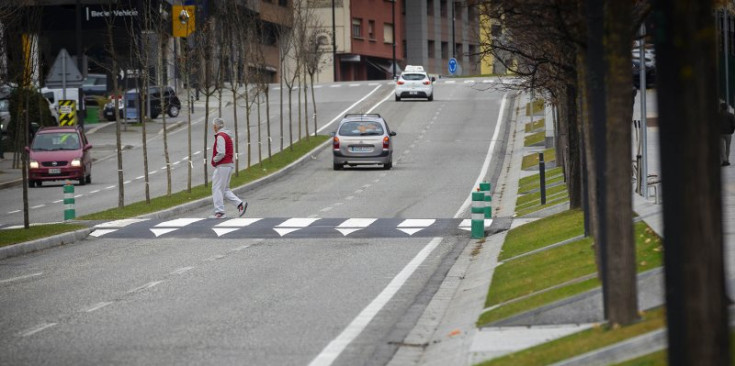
pixel 190 297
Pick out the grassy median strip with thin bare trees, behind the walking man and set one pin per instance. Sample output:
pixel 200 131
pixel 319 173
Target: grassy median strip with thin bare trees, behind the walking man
pixel 255 172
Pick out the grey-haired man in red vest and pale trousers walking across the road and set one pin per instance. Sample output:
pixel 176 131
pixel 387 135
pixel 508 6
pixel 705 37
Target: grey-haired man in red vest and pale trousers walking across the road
pixel 222 161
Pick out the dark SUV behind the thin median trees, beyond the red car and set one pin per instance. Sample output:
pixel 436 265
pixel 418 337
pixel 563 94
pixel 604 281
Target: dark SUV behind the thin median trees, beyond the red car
pixel 129 105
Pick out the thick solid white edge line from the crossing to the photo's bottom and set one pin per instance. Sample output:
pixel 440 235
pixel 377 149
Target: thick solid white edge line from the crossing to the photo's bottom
pixel 330 353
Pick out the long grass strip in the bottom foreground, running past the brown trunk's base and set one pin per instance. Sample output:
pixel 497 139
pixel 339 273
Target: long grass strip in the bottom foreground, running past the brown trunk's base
pixel 582 342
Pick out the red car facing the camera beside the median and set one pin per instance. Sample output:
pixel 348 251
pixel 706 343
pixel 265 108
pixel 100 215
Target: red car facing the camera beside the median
pixel 59 153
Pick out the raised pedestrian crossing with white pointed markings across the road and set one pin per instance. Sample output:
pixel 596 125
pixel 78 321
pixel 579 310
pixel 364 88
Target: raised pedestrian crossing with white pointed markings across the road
pixel 275 227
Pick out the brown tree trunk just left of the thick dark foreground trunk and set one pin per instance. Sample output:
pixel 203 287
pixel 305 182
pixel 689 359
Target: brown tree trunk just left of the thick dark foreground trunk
pixel 622 302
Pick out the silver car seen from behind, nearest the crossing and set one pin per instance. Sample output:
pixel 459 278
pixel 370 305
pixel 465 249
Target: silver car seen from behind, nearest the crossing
pixel 362 139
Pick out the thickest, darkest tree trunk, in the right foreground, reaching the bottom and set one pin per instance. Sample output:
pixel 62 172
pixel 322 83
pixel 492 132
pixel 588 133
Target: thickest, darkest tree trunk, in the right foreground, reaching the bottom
pixel 696 309
